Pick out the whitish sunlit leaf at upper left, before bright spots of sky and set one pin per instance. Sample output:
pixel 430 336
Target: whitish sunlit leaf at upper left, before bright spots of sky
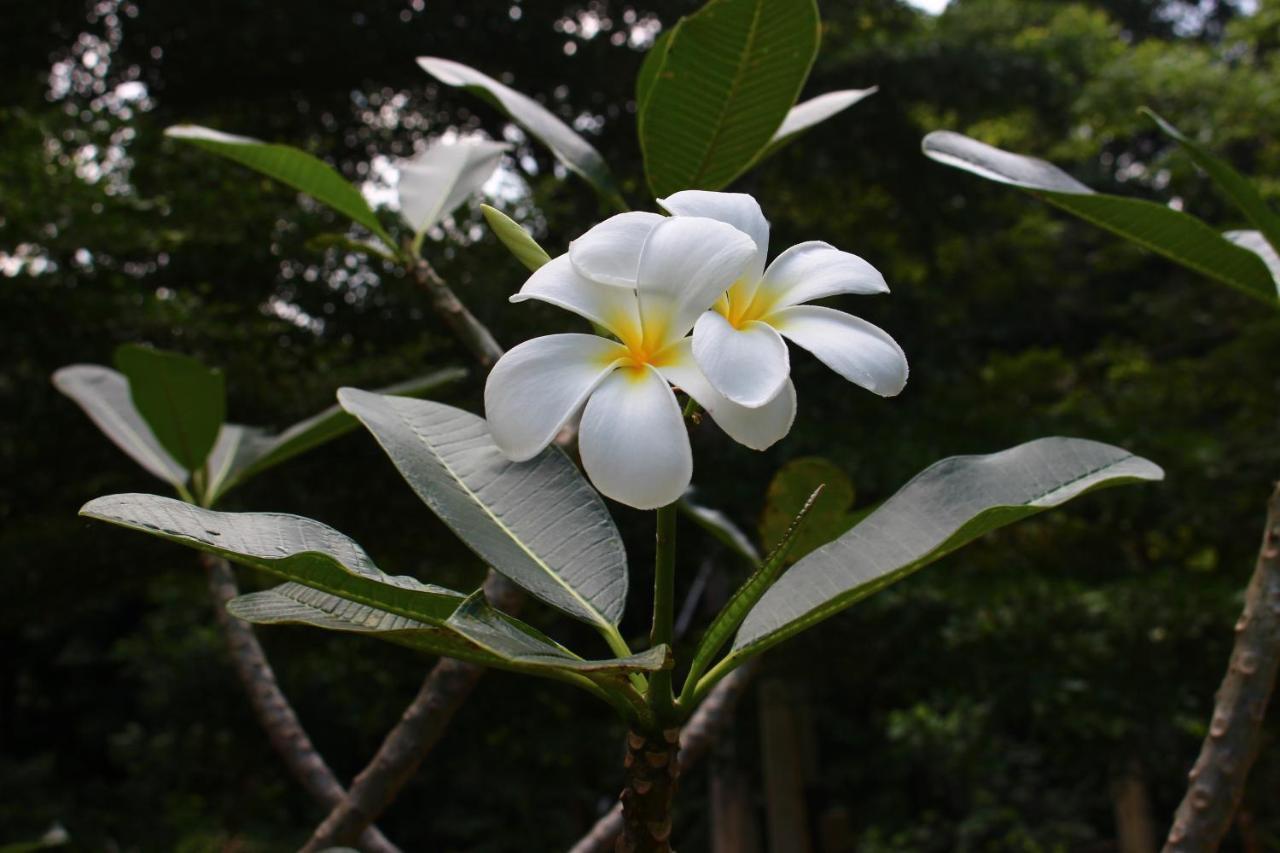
pixel 435 183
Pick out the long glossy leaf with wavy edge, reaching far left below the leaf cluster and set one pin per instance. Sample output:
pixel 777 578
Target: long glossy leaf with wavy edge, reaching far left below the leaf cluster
pixel 287 546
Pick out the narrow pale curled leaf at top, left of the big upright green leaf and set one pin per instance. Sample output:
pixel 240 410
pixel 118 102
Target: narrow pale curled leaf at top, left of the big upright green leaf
pixel 569 148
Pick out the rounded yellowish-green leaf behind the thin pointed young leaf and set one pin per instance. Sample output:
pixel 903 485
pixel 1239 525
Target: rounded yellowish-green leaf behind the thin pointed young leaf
pixel 792 490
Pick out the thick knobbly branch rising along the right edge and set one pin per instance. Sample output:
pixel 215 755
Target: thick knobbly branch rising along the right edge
pixel 1228 752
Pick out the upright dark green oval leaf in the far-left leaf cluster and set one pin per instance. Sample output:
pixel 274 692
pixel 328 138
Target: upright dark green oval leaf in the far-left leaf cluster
pixel 182 400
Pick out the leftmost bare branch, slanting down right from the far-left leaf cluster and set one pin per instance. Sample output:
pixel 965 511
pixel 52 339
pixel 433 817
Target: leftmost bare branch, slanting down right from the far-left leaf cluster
pixel 272 706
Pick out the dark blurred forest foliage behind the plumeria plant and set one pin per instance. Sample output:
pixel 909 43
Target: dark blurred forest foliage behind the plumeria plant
pixel 988 704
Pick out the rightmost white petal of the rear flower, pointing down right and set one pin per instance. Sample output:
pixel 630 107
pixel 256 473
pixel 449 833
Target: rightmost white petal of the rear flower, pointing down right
pixel 857 350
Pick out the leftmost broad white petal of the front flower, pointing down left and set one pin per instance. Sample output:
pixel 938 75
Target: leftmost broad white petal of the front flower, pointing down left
pixel 540 386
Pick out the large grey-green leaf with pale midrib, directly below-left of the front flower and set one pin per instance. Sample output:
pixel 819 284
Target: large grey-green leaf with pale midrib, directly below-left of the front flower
pixel 538 523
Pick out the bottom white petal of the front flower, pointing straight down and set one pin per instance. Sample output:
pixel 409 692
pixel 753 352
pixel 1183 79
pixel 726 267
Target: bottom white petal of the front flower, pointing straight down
pixel 633 440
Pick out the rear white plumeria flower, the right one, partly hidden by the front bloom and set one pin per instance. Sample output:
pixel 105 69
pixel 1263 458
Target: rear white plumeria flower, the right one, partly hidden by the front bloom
pixel 739 344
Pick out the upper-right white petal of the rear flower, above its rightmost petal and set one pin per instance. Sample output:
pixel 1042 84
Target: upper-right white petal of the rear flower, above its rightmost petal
pixel 815 270
